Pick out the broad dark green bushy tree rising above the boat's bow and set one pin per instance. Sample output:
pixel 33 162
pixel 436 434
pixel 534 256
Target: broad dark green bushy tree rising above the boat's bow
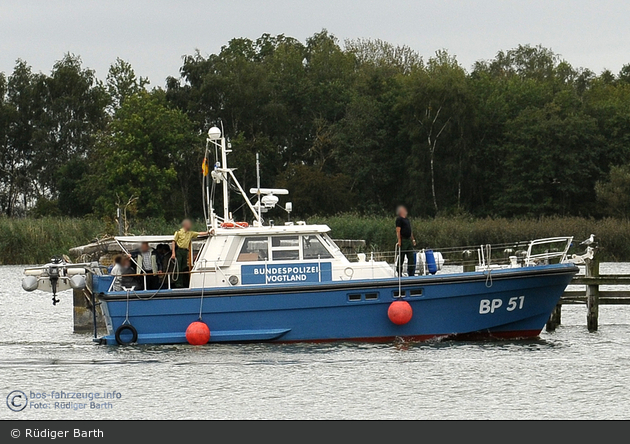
pixel 551 163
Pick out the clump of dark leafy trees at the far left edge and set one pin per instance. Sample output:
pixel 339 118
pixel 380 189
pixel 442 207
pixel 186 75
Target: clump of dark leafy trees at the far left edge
pixel 48 122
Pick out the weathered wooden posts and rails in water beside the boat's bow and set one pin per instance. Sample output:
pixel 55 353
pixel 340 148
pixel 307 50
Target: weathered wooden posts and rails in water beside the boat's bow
pixel 592 297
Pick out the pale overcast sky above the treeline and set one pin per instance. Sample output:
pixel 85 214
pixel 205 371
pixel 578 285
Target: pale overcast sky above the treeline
pixel 154 35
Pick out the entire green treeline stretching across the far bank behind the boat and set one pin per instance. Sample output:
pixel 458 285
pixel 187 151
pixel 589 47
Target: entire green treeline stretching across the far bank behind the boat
pixel 358 127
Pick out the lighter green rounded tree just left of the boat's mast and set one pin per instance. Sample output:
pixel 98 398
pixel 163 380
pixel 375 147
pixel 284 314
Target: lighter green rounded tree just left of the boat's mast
pixel 145 153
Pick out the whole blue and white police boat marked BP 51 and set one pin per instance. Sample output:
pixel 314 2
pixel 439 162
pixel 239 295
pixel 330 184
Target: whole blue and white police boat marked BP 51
pixel 259 282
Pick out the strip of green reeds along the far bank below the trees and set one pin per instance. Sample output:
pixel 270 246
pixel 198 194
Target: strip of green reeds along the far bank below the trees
pixel 32 241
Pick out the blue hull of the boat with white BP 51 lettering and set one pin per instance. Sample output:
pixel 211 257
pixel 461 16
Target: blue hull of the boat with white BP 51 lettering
pixel 512 303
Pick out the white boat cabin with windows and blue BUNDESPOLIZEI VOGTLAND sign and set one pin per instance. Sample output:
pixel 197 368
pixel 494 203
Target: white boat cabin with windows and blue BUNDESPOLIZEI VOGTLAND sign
pixel 276 255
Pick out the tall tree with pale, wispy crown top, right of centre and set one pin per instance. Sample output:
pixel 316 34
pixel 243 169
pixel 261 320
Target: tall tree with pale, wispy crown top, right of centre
pixel 369 147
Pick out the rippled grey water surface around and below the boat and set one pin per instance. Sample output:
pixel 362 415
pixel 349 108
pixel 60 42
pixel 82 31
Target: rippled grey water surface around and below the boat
pixel 567 374
